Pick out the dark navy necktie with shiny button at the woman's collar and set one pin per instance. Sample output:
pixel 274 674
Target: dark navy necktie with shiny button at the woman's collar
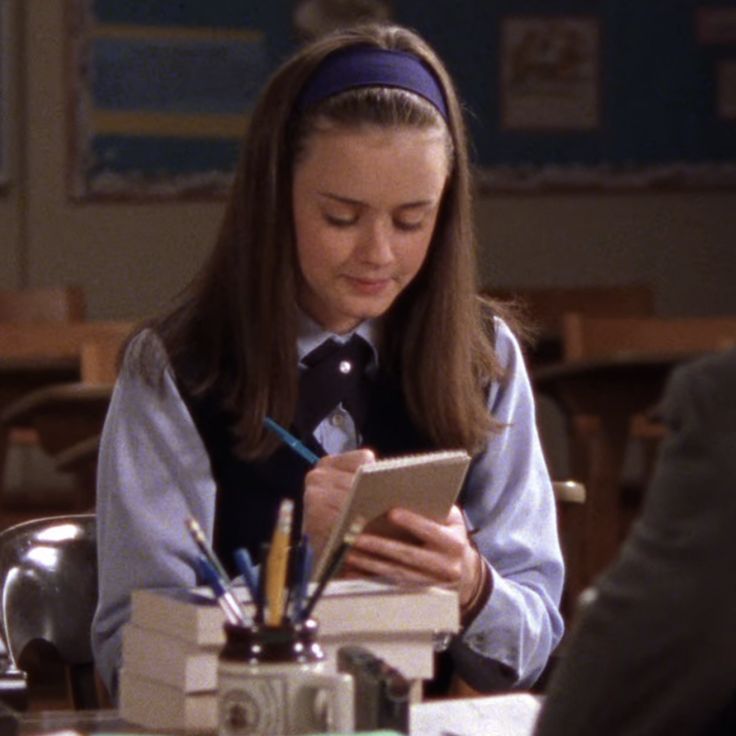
pixel 335 374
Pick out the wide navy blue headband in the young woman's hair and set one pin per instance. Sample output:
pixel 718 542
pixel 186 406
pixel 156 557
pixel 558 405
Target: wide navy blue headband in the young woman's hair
pixel 368 66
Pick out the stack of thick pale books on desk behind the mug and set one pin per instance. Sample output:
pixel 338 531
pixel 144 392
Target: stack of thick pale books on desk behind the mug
pixel 171 643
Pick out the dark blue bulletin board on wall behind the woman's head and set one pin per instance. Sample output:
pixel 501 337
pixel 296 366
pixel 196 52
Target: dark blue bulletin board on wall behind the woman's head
pixel 559 94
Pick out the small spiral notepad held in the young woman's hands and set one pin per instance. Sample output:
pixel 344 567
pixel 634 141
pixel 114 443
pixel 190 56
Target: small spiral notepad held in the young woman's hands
pixel 427 483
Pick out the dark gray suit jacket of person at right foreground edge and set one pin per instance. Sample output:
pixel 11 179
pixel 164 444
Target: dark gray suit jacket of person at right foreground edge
pixel 656 651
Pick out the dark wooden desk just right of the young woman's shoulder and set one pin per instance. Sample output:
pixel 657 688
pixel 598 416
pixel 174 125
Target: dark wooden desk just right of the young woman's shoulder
pixel 612 391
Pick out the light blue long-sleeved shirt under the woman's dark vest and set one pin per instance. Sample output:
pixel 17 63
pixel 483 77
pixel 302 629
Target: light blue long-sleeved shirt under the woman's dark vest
pixel 154 472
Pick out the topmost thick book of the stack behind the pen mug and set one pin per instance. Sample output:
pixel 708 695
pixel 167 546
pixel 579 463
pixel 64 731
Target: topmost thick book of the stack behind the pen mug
pixel 348 607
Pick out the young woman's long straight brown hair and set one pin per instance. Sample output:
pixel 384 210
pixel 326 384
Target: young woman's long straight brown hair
pixel 239 315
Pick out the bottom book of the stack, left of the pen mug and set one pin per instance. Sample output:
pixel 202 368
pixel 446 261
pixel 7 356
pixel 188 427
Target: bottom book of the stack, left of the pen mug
pixel 156 705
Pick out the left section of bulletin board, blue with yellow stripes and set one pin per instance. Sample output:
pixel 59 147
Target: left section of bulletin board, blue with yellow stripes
pixel 161 95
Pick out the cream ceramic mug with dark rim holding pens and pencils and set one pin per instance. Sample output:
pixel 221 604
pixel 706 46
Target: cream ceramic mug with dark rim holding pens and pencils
pixel 274 680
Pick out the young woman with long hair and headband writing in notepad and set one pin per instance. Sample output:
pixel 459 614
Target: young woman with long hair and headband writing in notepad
pixel 350 219
